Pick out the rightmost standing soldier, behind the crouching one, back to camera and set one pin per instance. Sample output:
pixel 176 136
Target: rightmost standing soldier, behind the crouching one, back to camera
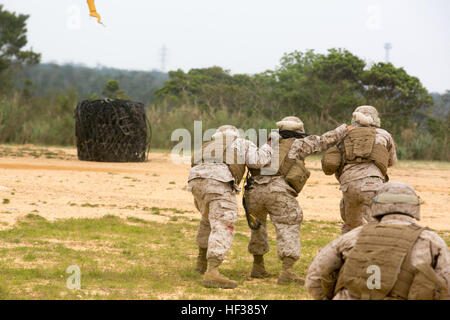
pixel 361 176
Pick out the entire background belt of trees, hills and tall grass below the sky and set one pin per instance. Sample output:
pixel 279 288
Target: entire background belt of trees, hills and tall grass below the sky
pixel 37 101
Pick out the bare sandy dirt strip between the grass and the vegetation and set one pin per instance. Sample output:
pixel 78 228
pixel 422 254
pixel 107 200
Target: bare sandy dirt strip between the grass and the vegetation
pixel 51 182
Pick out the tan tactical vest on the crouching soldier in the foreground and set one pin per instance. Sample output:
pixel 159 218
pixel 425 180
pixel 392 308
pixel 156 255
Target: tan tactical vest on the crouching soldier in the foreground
pixel 387 247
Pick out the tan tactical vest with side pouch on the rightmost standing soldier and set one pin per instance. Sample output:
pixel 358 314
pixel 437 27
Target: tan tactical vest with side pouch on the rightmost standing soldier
pixel 359 147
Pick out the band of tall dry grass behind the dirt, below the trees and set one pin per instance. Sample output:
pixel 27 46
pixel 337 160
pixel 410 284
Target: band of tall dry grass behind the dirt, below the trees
pixel 49 121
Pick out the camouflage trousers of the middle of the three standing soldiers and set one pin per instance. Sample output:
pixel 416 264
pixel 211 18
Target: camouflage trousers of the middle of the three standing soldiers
pixel 275 200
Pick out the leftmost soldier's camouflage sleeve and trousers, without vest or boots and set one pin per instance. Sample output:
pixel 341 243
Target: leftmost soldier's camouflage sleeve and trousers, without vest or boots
pixel 214 191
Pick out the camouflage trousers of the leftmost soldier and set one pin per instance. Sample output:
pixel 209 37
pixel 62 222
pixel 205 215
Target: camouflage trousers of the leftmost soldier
pixel 216 202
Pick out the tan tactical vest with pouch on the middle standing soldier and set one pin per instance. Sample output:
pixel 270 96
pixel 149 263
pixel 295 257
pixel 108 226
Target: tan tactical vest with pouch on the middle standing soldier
pixel 293 170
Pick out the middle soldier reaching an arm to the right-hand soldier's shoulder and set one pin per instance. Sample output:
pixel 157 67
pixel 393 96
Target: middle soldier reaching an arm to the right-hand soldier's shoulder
pixel 273 195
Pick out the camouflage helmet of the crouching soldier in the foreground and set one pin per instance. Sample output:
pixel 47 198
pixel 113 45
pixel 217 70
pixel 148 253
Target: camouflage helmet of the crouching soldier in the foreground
pixel 396 197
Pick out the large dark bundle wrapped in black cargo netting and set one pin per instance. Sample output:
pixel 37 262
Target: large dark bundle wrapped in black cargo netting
pixel 112 131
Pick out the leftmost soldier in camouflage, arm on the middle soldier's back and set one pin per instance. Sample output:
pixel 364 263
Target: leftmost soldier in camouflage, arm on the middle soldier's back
pixel 214 181
